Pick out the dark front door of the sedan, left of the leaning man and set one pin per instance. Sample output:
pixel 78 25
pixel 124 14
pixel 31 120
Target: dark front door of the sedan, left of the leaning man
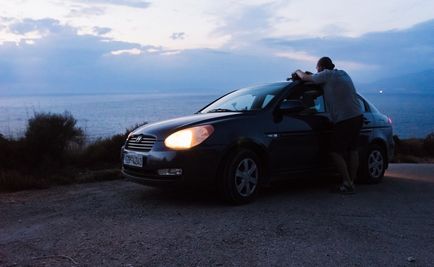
pixel 299 140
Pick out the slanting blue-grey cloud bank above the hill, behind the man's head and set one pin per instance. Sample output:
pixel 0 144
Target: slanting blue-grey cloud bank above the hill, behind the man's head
pixel 379 53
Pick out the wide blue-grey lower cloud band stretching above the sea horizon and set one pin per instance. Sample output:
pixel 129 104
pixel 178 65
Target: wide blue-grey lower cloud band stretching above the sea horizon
pixel 63 61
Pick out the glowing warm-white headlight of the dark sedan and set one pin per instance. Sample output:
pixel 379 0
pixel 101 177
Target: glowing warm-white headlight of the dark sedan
pixel 188 138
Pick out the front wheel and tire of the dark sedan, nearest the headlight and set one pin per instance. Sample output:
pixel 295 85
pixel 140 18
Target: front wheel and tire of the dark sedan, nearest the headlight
pixel 241 177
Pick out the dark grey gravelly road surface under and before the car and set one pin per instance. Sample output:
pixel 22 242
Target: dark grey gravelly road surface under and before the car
pixel 119 223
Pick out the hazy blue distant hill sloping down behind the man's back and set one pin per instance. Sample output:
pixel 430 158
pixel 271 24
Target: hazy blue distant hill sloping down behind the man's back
pixel 412 83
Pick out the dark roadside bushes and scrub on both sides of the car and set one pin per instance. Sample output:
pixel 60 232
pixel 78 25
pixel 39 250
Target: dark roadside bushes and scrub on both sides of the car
pixel 53 151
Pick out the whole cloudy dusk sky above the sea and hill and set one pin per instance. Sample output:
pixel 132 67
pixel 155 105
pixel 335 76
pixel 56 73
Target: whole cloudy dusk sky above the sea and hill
pixel 97 46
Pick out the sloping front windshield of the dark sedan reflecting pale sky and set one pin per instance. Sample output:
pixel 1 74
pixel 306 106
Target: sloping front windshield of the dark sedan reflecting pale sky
pixel 246 99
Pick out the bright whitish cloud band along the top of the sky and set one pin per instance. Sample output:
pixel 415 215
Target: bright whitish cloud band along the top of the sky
pixel 223 24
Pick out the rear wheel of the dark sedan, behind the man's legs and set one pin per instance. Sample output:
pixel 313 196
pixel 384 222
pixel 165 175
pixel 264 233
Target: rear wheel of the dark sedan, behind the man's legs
pixel 373 165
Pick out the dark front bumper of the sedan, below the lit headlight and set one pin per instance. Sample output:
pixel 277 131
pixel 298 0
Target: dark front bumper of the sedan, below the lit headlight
pixel 199 166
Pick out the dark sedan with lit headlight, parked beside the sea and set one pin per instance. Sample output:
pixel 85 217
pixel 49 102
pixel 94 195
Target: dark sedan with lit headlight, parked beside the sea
pixel 251 137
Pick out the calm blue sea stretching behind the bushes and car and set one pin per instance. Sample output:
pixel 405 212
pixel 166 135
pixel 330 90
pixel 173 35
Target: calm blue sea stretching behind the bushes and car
pixel 103 115
